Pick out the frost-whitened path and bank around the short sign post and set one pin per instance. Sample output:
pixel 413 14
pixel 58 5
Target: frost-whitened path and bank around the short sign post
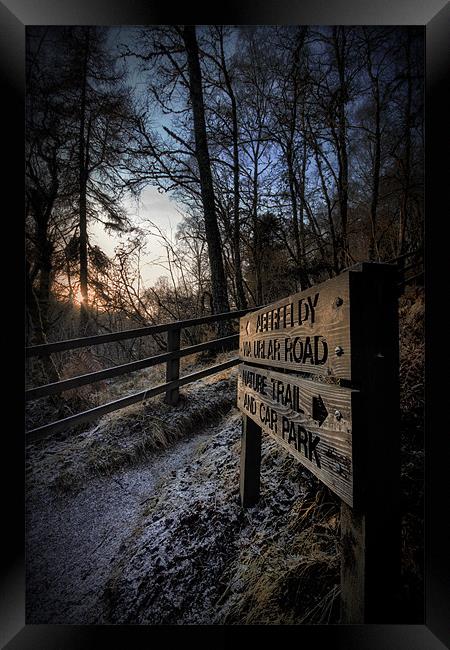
pixel 151 542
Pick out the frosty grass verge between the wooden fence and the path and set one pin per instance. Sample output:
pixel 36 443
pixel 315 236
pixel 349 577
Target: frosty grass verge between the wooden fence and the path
pixel 127 437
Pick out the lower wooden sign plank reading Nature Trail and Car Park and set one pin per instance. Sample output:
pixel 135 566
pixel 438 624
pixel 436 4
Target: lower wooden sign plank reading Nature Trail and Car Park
pixel 311 420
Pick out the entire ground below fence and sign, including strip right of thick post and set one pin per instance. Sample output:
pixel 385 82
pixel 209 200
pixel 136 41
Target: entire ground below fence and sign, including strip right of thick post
pixel 138 520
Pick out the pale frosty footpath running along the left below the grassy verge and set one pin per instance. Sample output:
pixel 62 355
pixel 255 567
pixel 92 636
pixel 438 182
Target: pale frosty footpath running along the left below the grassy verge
pixel 73 541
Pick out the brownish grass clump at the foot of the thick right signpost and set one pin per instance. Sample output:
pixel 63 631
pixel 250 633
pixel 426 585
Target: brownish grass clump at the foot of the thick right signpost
pixel 295 577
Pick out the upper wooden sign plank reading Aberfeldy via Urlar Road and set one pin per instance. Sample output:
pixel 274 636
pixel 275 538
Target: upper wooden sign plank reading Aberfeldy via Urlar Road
pixel 307 332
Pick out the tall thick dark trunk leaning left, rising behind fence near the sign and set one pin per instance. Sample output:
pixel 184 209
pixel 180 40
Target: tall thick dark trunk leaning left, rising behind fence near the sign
pixel 218 280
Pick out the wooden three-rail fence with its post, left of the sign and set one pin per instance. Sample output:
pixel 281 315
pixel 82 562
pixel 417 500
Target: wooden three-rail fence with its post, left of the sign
pixel 171 358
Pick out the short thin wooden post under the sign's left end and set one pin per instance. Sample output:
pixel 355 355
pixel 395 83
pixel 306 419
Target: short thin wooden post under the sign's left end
pixel 250 462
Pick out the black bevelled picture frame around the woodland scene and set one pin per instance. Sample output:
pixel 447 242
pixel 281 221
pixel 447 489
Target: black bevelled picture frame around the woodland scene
pixel 15 15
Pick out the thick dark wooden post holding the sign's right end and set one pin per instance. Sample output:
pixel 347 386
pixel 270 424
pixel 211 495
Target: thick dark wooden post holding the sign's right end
pixel 370 532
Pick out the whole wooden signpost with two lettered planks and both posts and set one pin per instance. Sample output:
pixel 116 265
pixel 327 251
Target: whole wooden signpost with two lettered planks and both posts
pixel 319 374
